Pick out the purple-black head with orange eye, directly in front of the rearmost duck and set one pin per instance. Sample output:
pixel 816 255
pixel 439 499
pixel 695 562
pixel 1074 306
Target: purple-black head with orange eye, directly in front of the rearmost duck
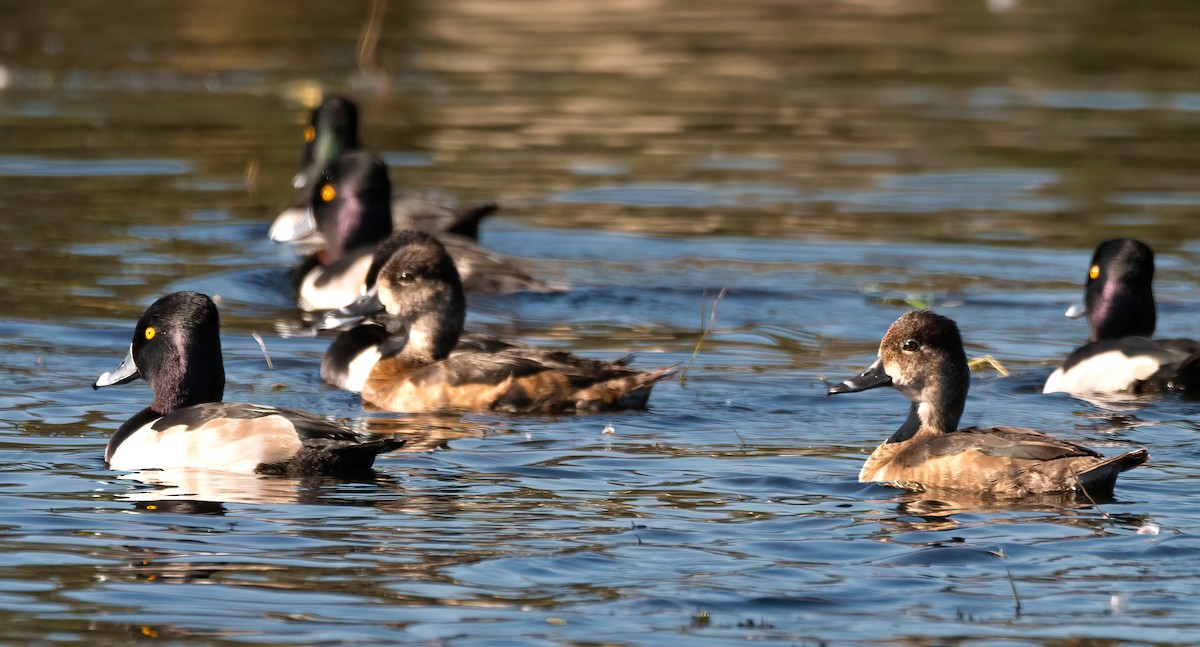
pixel 352 203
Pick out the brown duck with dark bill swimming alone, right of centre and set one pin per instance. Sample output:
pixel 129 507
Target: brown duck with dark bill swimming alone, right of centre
pixel 922 357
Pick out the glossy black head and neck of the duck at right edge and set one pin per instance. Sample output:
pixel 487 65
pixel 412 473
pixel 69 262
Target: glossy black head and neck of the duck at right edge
pixel 1119 292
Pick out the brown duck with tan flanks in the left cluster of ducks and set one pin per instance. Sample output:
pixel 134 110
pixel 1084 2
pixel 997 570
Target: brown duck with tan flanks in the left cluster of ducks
pixel 421 367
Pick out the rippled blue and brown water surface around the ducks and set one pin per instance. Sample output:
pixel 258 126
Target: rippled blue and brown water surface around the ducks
pixel 826 165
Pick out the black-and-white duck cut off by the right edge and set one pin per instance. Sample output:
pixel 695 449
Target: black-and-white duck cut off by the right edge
pixel 1120 356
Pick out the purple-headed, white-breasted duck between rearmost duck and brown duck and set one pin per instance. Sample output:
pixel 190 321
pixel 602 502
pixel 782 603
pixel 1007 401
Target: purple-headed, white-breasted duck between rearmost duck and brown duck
pixel 352 212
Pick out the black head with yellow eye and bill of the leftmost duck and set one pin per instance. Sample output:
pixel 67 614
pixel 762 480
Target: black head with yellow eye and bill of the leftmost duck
pixel 177 349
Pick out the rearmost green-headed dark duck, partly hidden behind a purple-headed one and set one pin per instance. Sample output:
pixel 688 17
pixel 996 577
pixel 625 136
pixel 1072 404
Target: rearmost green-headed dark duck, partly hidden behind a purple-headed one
pixel 333 129
